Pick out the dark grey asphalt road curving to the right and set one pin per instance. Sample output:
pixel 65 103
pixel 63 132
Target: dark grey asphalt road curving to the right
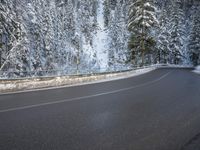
pixel 159 110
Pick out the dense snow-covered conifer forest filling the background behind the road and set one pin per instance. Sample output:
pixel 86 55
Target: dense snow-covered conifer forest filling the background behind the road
pixel 53 37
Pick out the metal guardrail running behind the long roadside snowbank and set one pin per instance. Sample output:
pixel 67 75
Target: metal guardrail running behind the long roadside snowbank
pixel 23 75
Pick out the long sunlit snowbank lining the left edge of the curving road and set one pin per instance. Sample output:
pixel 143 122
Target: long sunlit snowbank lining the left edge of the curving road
pixel 7 86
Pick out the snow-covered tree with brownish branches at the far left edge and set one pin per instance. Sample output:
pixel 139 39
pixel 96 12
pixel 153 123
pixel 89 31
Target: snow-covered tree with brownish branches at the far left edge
pixel 10 37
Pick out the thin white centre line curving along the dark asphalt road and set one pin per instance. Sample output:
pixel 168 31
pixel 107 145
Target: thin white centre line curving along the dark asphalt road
pixel 85 97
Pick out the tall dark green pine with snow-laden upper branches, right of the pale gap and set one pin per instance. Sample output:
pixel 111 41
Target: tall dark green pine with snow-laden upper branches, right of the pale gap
pixel 142 19
